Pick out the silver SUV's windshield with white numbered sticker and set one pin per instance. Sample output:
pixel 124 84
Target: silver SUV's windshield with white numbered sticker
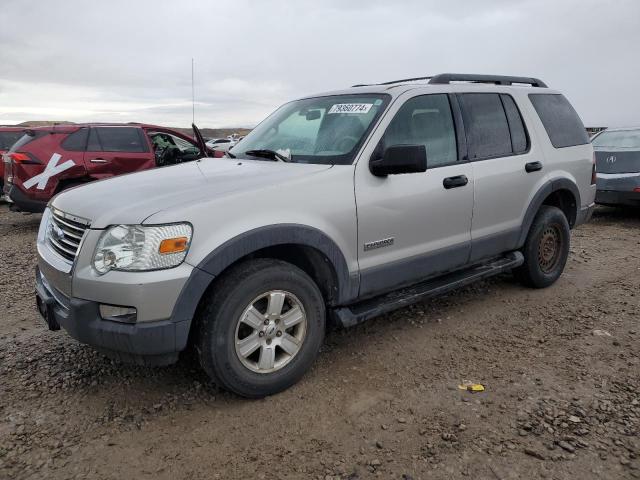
pixel 324 130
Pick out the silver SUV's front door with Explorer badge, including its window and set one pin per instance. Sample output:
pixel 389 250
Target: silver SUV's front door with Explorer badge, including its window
pixel 414 226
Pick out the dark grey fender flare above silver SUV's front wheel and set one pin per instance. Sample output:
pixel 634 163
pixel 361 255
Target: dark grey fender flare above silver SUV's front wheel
pixel 251 241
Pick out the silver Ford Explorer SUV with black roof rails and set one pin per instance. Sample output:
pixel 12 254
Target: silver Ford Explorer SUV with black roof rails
pixel 336 208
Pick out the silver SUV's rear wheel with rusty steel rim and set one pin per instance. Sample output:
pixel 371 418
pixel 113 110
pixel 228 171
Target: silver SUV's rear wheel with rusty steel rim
pixel 546 249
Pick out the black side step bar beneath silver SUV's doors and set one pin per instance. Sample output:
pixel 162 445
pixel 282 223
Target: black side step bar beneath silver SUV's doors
pixel 362 311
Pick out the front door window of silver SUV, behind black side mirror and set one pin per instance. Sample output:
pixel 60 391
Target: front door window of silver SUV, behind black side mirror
pixel 425 120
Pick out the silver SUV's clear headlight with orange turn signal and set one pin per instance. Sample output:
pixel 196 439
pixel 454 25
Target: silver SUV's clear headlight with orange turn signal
pixel 135 248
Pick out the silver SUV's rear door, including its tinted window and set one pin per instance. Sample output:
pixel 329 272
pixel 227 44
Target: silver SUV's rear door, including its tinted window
pixel 507 170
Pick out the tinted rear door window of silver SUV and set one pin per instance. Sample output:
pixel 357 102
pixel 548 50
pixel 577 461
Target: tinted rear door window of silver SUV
pixel 486 125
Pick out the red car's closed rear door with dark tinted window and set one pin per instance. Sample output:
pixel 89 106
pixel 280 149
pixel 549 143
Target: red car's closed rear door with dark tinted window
pixel 114 150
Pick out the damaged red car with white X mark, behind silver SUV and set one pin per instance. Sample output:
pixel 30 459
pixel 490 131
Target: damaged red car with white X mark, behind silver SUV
pixel 47 160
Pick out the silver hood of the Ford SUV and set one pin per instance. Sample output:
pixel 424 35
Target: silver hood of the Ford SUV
pixel 130 199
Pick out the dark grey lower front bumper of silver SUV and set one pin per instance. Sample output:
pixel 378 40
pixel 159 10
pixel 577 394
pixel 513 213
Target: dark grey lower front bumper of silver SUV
pixel 147 343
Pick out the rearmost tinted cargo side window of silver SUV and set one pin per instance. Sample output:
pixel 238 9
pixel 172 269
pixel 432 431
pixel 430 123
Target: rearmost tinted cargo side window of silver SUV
pixel 560 120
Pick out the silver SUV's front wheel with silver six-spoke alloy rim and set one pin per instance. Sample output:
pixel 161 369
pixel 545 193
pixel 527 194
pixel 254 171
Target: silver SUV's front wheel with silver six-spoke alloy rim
pixel 234 317
